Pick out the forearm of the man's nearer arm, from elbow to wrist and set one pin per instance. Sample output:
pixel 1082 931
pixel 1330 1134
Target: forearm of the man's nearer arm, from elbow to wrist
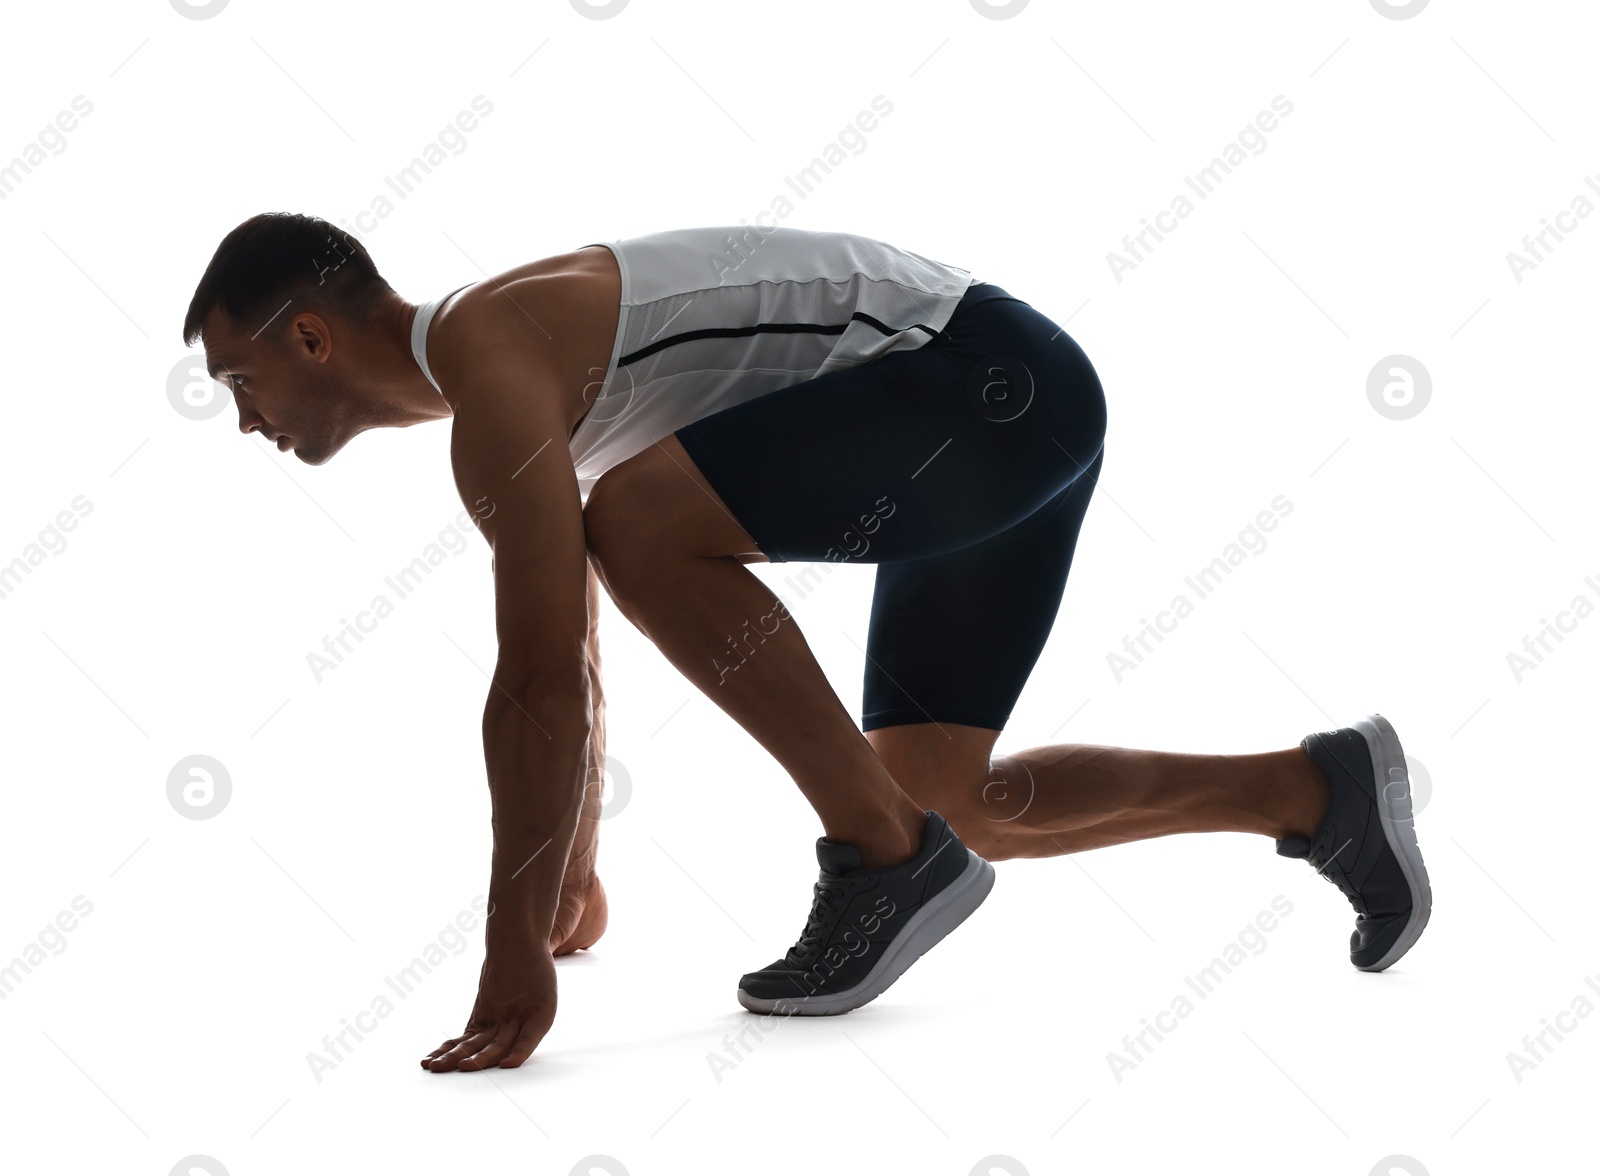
pixel 537 756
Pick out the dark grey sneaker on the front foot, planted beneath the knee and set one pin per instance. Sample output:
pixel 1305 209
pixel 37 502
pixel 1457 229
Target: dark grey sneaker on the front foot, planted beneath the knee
pixel 868 927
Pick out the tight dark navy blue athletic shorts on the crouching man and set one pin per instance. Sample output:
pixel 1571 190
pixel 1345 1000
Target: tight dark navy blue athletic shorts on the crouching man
pixel 962 470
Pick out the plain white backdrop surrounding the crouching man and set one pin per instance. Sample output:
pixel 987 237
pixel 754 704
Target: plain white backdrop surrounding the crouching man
pixel 177 622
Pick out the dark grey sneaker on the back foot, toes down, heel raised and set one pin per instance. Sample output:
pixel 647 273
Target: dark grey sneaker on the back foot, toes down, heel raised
pixel 1367 841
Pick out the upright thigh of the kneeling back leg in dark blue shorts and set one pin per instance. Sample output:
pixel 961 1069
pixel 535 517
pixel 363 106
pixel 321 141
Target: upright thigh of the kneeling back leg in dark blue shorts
pixel 954 638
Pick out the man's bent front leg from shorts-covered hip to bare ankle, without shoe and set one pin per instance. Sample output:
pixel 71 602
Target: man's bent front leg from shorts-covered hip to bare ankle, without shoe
pixel 926 452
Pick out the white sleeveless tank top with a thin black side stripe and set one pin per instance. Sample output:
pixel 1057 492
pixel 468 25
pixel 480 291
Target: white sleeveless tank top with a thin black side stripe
pixel 718 316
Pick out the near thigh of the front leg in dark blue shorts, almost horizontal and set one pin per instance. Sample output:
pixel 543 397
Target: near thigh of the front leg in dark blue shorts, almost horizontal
pixel 921 454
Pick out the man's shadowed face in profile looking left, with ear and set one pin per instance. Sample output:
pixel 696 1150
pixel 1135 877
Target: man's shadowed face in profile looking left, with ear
pixel 286 383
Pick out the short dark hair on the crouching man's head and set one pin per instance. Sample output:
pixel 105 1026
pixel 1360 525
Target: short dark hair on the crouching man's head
pixel 279 257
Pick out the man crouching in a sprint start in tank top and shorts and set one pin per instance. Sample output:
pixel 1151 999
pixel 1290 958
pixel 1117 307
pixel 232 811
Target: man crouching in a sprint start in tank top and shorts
pixel 732 396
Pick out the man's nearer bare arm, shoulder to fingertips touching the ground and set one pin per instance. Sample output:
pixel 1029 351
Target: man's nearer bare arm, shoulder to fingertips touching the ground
pixel 514 474
